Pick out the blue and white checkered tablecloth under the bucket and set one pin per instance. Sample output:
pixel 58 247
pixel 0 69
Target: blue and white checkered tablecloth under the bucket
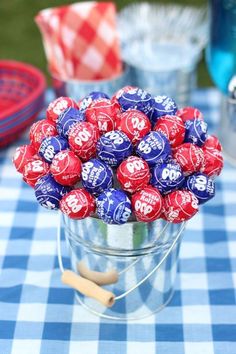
pixel 39 315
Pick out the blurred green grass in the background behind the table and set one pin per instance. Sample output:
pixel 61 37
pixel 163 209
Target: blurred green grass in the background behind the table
pixel 21 40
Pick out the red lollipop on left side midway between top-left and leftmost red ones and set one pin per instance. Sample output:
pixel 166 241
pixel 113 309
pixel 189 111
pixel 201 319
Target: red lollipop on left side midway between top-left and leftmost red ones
pixel 40 130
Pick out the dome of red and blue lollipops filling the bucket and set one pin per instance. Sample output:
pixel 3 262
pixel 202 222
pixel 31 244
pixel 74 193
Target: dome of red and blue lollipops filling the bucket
pixel 128 157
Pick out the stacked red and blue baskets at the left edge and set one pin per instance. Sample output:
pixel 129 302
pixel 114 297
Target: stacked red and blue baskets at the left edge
pixel 22 89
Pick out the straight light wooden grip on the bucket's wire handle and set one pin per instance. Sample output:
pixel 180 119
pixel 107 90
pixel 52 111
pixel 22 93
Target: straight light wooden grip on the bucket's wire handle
pixel 88 288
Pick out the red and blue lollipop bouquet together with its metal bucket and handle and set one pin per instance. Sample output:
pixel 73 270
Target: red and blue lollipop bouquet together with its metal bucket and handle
pixel 131 157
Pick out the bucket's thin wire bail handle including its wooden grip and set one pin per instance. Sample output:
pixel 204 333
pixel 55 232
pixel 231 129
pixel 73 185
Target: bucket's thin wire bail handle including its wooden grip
pixel 90 288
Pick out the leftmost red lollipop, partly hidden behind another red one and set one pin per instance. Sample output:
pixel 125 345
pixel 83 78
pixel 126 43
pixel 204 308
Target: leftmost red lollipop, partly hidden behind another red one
pixel 22 155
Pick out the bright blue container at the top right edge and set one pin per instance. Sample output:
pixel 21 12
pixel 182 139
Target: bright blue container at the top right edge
pixel 221 51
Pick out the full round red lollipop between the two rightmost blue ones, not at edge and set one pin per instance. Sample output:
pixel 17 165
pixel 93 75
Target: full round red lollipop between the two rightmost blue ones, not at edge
pixel 190 157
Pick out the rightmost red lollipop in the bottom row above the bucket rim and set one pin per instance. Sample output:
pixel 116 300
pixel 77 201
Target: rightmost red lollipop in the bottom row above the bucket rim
pixel 179 206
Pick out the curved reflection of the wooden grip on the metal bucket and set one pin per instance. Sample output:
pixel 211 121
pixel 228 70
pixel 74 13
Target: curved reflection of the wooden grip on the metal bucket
pixel 100 278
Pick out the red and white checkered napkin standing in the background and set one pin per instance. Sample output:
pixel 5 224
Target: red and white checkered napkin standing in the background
pixel 81 41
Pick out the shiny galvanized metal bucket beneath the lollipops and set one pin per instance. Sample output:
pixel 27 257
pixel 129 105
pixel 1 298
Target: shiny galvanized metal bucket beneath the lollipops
pixel 143 256
